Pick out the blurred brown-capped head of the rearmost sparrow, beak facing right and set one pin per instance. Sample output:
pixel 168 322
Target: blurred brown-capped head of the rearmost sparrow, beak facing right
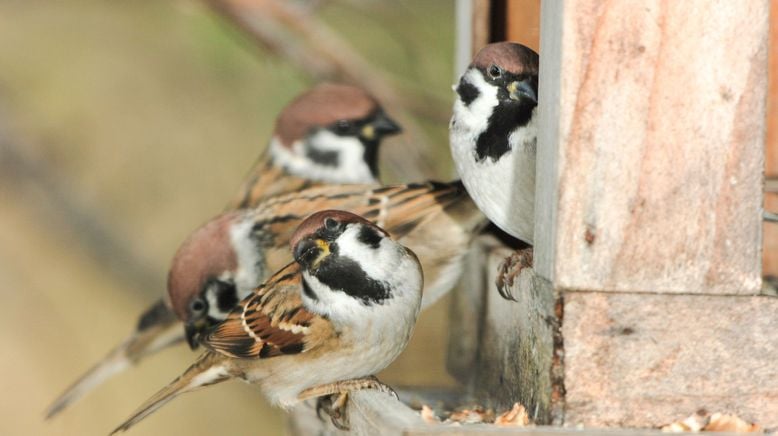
pixel 331 134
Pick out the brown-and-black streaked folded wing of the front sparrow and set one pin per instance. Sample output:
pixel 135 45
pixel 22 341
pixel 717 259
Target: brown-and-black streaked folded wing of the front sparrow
pixel 270 322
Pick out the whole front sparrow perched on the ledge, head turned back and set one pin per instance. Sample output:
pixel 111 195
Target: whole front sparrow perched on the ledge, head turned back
pixel 325 324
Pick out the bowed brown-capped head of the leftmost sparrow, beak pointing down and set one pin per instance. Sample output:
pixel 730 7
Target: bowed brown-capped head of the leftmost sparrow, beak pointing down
pixel 211 272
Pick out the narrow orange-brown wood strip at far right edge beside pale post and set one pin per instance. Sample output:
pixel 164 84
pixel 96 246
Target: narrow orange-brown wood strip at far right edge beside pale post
pixel 770 244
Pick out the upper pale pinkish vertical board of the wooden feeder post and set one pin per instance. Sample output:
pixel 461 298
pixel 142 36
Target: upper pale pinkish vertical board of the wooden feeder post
pixel 652 135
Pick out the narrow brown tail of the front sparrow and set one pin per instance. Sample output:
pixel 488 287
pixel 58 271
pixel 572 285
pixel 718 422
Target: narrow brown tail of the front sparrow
pixel 209 369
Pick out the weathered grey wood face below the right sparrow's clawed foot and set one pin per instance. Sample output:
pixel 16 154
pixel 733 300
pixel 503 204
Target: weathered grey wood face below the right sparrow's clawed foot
pixel 503 351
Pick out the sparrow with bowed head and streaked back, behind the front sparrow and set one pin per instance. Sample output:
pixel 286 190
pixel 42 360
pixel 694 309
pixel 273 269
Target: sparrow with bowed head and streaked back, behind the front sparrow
pixel 219 263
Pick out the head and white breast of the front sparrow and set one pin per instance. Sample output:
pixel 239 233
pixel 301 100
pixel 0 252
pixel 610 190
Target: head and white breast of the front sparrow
pixel 350 264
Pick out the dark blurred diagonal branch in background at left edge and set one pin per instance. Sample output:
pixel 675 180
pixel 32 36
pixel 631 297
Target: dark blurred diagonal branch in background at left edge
pixel 47 192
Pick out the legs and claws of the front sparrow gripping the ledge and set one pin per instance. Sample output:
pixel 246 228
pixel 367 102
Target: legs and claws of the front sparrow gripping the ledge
pixel 339 391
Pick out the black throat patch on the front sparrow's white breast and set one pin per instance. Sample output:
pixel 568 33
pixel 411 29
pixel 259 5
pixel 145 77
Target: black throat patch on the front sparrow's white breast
pixel 342 274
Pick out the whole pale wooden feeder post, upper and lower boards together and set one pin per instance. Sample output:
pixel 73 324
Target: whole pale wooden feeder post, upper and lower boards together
pixel 649 193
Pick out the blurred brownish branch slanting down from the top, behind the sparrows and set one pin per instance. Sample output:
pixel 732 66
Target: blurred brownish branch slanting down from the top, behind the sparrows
pixel 299 37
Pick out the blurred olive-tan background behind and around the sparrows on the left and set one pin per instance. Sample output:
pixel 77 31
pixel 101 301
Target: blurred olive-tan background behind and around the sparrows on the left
pixel 123 126
